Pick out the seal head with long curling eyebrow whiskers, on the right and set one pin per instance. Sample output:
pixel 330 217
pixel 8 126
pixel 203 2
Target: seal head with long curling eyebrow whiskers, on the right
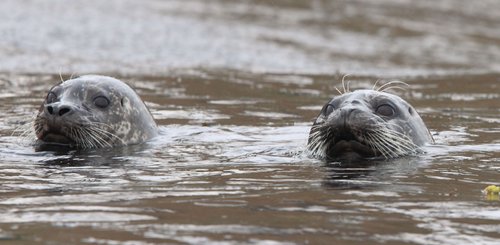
pixel 367 124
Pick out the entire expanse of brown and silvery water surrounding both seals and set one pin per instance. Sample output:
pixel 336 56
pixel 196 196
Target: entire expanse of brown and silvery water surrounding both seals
pixel 235 86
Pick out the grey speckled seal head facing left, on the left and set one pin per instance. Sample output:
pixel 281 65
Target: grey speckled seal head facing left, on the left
pixel 93 112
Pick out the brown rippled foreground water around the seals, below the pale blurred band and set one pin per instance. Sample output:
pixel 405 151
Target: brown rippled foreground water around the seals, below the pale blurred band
pixel 229 166
